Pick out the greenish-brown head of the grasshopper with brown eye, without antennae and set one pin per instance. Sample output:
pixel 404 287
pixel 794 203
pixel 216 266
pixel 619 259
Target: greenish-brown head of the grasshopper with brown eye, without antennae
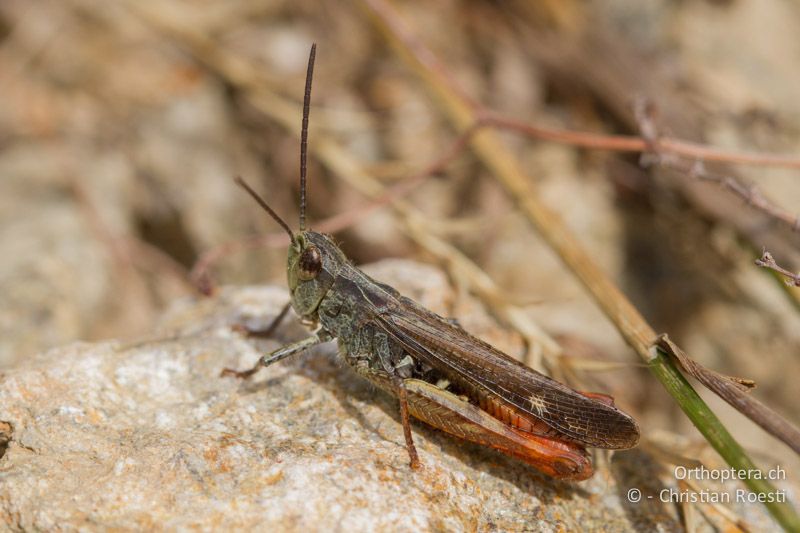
pixel 314 260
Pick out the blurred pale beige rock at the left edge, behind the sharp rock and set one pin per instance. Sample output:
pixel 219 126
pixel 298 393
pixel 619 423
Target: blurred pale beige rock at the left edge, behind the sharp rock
pixel 53 274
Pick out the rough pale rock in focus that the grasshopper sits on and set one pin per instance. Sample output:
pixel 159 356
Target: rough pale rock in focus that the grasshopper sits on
pixel 147 435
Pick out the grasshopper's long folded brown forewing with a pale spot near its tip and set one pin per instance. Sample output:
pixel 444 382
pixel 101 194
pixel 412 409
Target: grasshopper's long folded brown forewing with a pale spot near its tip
pixel 505 386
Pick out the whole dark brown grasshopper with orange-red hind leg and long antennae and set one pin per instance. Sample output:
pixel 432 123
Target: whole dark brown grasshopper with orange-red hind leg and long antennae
pixel 440 374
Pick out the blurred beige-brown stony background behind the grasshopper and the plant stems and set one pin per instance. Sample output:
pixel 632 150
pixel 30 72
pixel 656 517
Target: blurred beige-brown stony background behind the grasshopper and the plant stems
pixel 122 124
